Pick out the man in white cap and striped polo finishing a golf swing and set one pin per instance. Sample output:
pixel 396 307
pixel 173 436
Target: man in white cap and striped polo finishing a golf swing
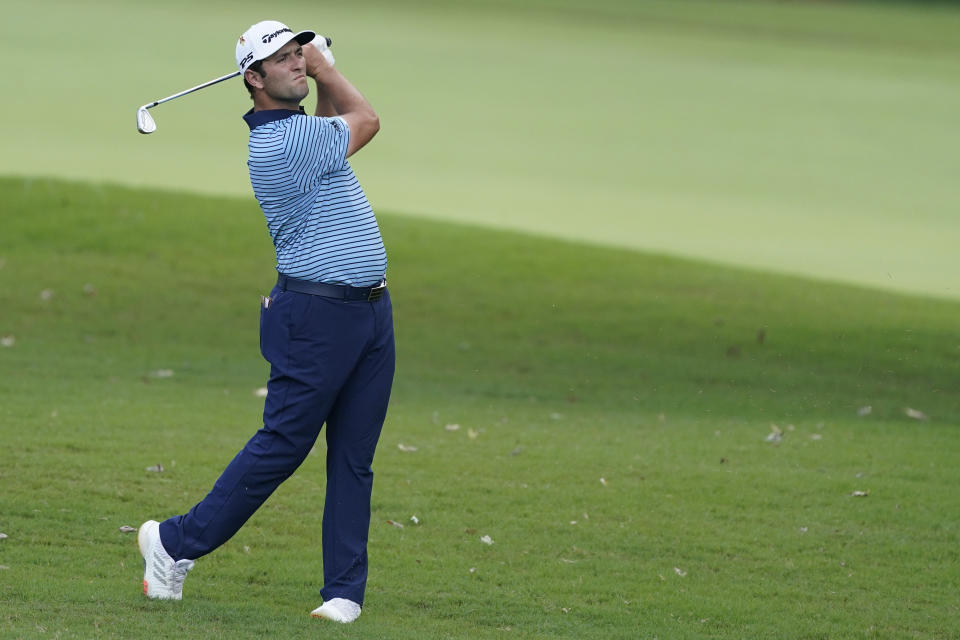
pixel 326 329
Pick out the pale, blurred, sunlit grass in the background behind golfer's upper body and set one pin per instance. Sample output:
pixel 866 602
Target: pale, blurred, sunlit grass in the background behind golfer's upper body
pixel 806 137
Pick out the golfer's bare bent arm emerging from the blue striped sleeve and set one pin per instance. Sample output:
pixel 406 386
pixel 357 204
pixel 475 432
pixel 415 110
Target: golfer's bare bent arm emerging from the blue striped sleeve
pixel 336 96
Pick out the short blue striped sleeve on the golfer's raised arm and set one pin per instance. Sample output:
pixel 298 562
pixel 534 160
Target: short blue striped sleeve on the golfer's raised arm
pixel 315 147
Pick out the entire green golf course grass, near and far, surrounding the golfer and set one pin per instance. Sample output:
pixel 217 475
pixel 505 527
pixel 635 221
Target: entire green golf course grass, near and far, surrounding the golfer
pixel 653 446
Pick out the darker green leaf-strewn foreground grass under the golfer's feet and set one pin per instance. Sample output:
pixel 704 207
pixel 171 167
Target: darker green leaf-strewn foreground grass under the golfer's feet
pixel 562 364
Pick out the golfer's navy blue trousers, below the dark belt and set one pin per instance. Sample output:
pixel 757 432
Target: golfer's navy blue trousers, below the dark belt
pixel 331 361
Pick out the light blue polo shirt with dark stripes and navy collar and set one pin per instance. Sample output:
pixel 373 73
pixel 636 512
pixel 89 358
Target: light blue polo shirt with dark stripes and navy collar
pixel 322 225
